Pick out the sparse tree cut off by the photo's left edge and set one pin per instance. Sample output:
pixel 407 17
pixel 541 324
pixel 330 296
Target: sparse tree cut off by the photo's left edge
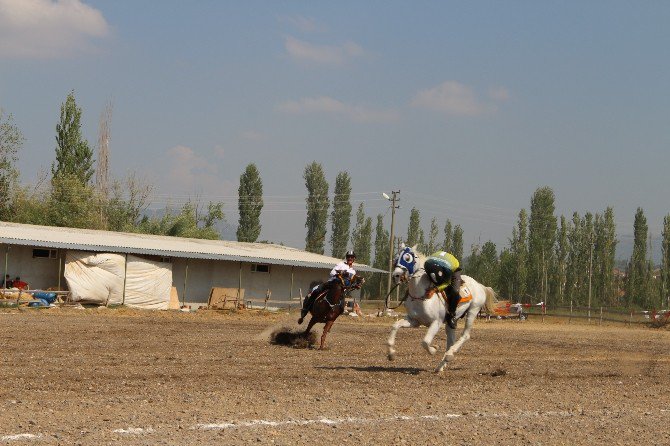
pixel 11 141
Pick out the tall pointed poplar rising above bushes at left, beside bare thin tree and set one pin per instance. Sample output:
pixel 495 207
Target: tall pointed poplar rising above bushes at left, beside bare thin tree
pixel 73 155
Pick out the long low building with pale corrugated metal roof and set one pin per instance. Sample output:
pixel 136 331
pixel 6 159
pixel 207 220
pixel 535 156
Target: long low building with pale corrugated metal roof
pixel 40 255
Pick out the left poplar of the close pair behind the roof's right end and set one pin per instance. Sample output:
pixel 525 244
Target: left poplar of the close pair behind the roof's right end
pixel 317 207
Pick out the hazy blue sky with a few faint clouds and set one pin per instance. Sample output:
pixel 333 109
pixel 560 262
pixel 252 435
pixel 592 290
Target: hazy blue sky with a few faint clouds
pixel 466 108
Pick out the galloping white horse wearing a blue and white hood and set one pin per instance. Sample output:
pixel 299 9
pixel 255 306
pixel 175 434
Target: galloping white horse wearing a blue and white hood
pixel 426 307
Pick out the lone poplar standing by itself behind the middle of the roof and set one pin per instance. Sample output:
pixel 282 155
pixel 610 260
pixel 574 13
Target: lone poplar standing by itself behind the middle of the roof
pixel 250 204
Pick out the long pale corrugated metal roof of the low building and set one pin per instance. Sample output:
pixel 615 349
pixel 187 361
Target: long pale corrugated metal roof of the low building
pixel 132 243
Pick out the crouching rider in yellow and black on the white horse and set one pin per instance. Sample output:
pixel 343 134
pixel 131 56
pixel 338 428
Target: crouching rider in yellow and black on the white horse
pixel 445 272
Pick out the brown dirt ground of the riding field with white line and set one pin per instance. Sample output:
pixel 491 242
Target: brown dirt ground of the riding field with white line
pixel 129 377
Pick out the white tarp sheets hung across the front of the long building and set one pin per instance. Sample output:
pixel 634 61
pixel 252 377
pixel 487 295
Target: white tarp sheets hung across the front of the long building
pixel 99 278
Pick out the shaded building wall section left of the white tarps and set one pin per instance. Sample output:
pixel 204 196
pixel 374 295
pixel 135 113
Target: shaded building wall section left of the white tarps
pixel 38 272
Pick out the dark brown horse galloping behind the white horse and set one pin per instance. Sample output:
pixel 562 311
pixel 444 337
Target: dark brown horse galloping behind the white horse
pixel 330 304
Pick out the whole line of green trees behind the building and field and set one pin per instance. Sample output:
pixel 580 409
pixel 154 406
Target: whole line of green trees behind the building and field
pixel 557 260
